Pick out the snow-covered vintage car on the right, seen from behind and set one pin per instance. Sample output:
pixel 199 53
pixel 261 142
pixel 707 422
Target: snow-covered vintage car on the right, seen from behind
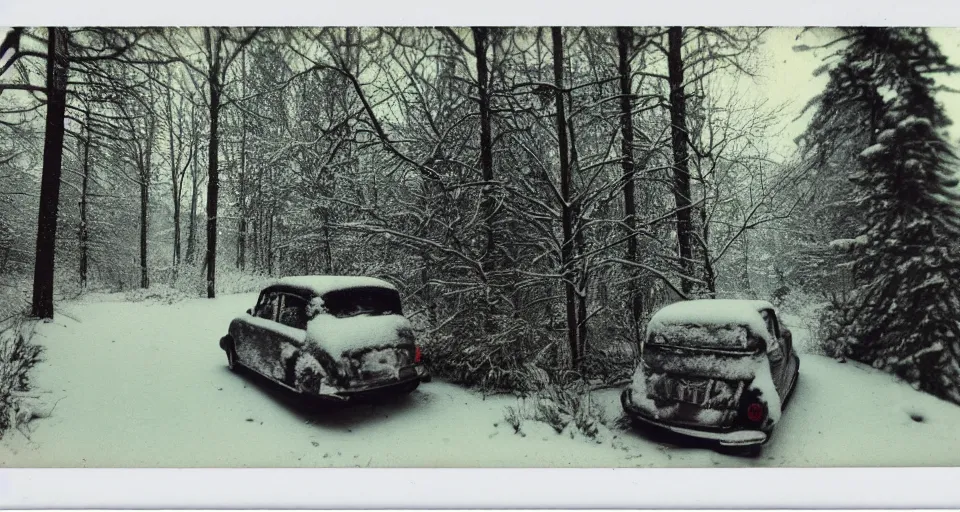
pixel 714 369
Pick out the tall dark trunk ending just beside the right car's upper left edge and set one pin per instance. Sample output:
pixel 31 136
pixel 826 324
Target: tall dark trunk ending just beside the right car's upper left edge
pixel 624 47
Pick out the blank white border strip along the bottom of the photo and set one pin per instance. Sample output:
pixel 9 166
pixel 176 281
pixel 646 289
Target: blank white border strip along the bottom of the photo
pixel 712 488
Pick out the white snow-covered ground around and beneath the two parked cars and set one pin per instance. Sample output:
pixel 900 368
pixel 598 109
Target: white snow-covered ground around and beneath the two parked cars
pixel 144 384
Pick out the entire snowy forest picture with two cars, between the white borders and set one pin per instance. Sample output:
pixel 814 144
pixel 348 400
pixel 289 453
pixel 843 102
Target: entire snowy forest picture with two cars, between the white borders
pixel 507 246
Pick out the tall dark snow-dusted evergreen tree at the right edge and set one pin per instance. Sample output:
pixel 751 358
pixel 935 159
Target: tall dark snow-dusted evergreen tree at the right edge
pixel 904 316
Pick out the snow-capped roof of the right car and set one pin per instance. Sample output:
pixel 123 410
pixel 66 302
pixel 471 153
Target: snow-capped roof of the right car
pixel 712 313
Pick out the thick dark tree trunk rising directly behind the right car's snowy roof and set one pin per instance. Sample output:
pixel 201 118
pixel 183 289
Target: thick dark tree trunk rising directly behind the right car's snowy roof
pixel 680 139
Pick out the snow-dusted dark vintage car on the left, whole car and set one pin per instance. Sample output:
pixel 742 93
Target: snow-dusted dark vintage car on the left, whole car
pixel 333 337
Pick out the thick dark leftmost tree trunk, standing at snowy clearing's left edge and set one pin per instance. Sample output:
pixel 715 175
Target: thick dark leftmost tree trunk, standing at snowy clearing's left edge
pixel 57 68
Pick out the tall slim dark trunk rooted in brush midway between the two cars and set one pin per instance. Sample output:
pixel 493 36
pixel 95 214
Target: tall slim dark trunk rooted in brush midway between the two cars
pixel 566 250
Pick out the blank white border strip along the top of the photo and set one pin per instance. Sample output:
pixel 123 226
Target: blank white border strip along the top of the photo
pixel 938 13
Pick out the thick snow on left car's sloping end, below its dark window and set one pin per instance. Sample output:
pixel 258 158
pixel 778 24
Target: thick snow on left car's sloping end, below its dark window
pixel 339 336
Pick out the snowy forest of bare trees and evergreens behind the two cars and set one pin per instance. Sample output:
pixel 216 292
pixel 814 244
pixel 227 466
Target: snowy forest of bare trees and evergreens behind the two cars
pixel 534 193
